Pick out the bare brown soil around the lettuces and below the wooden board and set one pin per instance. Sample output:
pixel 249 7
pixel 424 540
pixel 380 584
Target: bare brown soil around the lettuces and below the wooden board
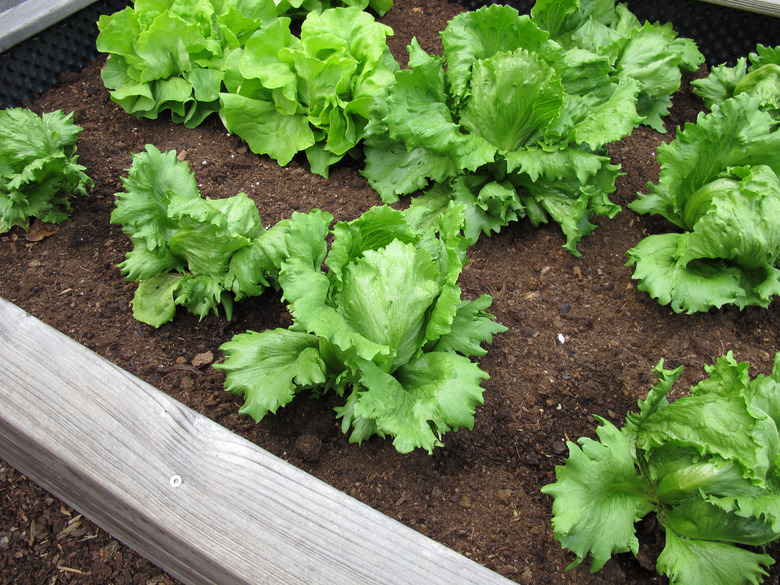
pixel 479 494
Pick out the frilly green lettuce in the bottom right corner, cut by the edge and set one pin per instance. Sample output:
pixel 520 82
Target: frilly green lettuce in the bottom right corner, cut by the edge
pixel 707 464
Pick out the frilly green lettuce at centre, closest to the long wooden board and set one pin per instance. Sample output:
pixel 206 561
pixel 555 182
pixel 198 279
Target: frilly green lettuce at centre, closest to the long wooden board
pixel 384 326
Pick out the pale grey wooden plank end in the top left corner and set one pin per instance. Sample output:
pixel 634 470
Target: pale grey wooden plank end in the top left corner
pixel 24 19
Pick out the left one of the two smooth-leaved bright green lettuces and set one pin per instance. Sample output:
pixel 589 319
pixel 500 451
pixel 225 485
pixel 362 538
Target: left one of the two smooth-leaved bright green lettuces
pixel 172 54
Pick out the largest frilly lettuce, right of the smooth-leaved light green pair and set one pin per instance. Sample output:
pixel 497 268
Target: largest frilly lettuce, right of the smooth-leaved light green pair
pixel 507 122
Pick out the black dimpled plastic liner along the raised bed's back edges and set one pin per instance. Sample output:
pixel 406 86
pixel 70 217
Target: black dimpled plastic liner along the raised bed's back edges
pixel 723 35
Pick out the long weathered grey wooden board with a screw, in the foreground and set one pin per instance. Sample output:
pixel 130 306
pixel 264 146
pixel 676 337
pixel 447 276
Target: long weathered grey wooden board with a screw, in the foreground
pixel 115 448
